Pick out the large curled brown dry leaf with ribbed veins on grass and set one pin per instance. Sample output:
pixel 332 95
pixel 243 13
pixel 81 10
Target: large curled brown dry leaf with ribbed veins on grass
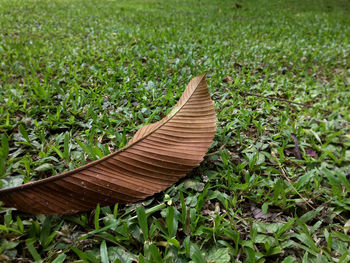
pixel 156 157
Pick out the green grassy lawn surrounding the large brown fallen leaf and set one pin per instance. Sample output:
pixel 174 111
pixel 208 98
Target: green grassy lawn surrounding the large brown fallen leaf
pixel 79 77
